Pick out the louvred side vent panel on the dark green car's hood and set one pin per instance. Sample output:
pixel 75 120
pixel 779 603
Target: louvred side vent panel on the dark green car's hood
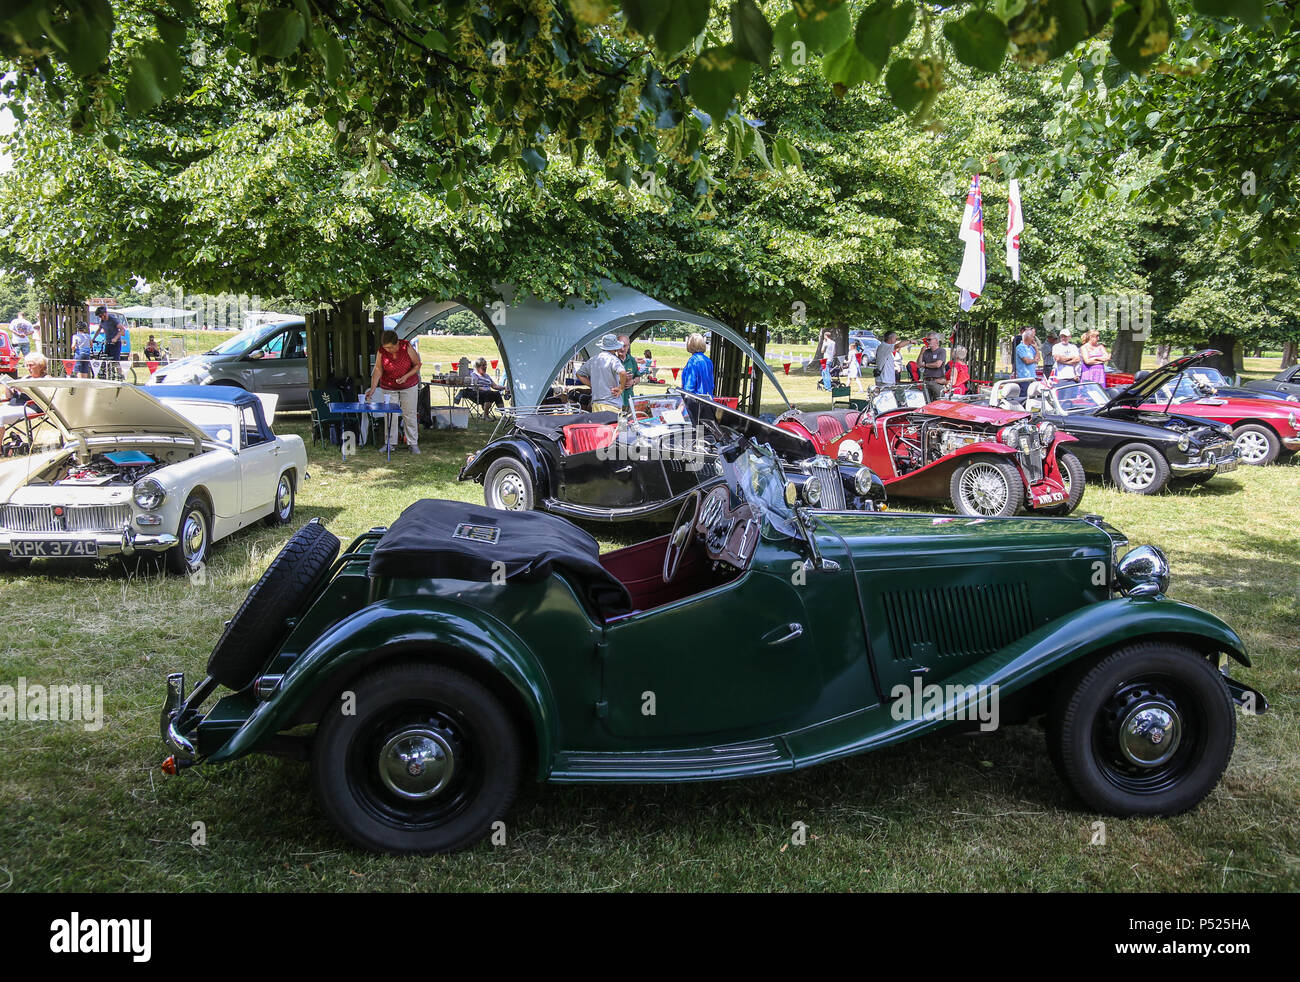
pixel 957 621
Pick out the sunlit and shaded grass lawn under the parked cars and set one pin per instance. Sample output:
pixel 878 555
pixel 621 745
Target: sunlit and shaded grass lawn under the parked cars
pixel 90 811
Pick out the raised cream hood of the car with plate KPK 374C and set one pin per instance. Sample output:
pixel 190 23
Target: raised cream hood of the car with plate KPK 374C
pixel 96 408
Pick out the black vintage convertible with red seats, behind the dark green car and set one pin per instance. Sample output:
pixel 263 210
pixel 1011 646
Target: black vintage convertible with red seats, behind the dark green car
pixel 605 468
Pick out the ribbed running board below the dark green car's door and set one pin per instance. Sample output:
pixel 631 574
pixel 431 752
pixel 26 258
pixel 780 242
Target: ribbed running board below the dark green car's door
pixel 700 764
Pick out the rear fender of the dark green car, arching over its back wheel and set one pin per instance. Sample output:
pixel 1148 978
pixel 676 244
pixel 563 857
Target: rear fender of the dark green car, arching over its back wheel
pixel 393 629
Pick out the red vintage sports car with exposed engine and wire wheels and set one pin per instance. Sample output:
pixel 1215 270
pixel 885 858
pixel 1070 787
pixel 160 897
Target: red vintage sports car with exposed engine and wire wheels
pixel 989 462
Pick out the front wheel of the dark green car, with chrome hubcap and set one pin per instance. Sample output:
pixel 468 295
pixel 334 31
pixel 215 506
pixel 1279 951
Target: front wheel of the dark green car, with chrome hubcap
pixel 1147 730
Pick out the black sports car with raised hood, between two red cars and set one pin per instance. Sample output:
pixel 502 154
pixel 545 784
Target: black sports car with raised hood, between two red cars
pixel 1142 452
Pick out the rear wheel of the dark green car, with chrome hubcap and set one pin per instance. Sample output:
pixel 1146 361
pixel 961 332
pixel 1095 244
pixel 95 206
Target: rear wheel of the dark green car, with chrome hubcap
pixel 417 759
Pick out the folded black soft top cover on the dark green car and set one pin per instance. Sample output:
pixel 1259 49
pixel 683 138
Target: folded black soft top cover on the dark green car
pixel 457 540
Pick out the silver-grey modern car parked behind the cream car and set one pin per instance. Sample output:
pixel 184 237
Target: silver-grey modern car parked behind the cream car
pixel 267 358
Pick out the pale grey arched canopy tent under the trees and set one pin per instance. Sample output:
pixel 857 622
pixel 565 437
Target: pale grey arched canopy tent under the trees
pixel 538 339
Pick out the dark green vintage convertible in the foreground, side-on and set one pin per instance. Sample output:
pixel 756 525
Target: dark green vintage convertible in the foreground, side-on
pixel 434 665
